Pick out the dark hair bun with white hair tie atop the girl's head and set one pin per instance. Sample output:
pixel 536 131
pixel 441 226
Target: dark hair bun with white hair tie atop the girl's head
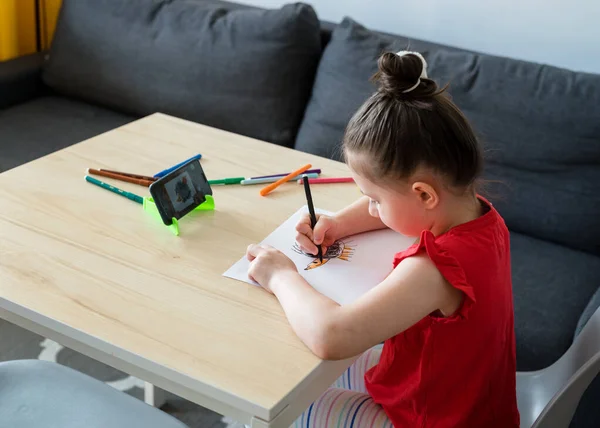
pixel 404 75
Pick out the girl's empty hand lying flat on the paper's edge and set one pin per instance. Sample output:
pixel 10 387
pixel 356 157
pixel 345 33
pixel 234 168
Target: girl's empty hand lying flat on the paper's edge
pixel 265 262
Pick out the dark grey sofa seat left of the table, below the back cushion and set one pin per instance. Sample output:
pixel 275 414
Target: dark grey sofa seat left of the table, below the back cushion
pixel 44 125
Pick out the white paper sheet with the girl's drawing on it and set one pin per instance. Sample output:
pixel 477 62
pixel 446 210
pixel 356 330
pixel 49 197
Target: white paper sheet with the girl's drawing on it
pixel 360 262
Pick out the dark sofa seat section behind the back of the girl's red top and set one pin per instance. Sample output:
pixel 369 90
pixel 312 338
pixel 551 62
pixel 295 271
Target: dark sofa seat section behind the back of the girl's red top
pixel 552 285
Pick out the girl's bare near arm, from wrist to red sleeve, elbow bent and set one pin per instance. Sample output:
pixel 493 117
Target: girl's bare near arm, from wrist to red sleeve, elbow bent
pixel 413 290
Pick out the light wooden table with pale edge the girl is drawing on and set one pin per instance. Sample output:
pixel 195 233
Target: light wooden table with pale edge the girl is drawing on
pixel 92 271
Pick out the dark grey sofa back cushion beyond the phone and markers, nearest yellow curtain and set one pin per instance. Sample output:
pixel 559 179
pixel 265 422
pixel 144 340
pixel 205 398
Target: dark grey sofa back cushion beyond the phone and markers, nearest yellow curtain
pixel 248 71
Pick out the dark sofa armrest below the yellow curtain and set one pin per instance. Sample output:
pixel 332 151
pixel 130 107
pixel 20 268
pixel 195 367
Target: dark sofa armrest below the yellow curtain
pixel 20 79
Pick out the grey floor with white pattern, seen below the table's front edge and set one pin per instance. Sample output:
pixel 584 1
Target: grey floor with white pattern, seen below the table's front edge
pixel 17 343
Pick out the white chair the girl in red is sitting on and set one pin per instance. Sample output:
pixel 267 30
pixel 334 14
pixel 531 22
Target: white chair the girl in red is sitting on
pixel 548 398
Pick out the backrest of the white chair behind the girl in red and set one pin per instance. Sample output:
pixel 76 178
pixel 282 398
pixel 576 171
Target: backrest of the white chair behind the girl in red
pixel 579 365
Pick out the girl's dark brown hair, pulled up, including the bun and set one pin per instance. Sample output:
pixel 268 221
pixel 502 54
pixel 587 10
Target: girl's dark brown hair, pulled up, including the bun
pixel 410 123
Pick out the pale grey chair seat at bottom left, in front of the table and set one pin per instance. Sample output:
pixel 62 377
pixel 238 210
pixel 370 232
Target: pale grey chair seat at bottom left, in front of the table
pixel 37 393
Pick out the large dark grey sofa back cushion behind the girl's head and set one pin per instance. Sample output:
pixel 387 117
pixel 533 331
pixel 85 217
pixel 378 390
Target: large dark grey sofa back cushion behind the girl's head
pixel 539 126
